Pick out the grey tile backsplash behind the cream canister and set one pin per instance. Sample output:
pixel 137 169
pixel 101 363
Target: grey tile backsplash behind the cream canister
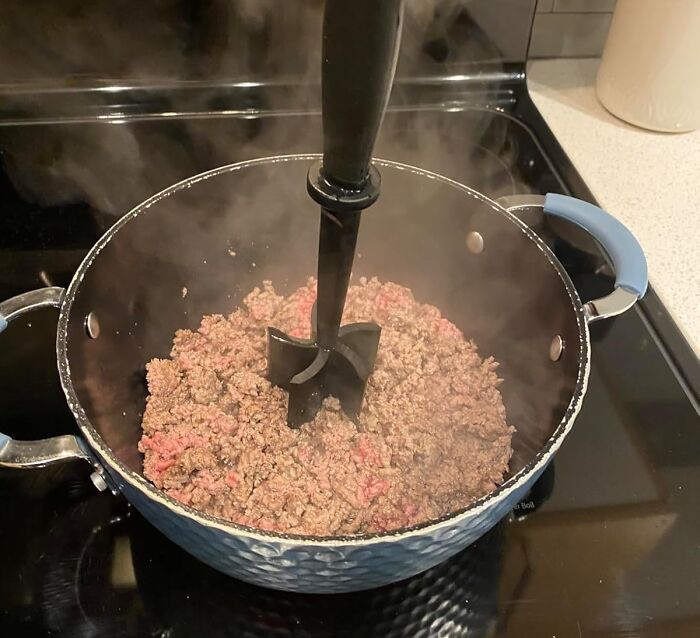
pixel 570 28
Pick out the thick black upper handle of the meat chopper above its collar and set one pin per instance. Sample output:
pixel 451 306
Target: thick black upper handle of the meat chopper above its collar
pixel 360 49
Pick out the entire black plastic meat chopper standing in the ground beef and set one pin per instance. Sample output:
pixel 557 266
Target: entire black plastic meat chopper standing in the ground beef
pixel 360 49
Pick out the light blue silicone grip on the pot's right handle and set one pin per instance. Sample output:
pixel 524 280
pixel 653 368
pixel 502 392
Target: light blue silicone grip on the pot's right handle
pixel 623 249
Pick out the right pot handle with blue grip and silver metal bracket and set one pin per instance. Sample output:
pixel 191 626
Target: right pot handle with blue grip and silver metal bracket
pixel 627 256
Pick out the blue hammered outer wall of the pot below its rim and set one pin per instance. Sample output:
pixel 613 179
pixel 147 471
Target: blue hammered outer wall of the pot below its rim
pixel 316 568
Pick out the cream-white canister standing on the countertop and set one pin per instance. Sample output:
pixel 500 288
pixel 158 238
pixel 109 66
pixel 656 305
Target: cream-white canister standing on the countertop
pixel 650 70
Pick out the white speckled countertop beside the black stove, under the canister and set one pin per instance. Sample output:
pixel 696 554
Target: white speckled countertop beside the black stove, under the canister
pixel 649 181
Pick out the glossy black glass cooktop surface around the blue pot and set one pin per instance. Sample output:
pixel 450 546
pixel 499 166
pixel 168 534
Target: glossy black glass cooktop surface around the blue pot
pixel 607 544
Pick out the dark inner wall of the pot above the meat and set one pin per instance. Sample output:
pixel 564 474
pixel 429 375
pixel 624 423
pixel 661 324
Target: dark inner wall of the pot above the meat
pixel 222 235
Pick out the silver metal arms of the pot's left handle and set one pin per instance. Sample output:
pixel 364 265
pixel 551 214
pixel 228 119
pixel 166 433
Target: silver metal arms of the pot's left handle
pixel 57 449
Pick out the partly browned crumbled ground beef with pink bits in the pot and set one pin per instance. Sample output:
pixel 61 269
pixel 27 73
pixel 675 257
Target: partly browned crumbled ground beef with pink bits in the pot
pixel 432 435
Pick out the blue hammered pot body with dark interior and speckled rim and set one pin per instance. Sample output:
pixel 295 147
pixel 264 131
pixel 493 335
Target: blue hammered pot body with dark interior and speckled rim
pixel 220 234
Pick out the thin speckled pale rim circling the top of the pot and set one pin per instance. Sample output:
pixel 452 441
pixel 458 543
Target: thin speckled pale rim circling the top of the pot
pixel 150 491
